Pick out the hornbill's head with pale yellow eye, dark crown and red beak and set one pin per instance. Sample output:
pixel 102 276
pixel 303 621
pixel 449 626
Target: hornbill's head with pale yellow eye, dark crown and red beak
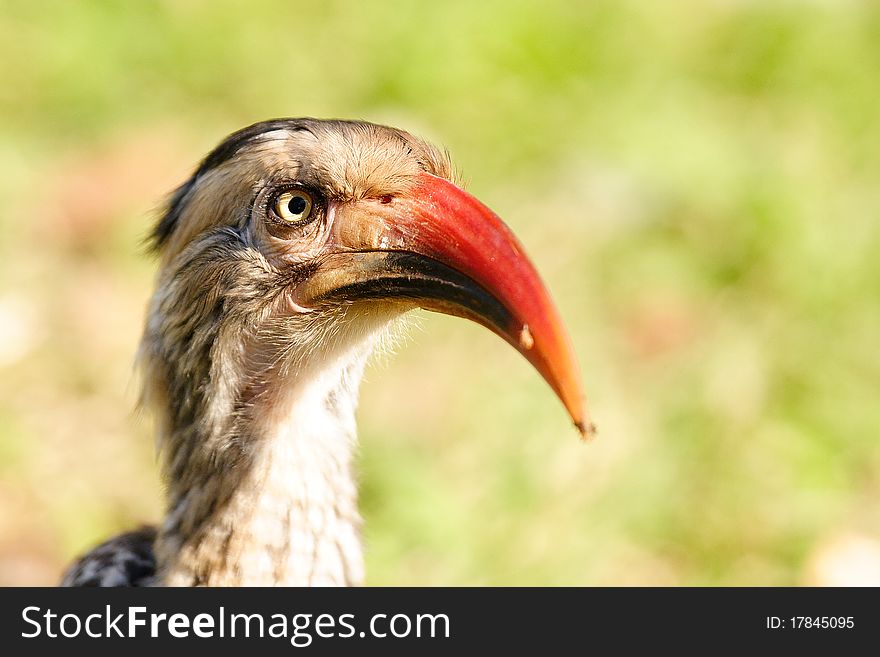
pixel 295 235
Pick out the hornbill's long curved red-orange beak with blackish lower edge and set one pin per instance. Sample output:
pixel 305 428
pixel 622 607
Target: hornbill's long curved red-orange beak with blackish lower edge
pixel 443 250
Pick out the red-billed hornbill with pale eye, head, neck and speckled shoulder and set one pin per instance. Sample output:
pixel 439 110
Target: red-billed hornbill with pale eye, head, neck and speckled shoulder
pixel 287 255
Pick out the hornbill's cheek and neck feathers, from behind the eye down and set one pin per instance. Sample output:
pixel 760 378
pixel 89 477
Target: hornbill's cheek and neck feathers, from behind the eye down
pixel 256 419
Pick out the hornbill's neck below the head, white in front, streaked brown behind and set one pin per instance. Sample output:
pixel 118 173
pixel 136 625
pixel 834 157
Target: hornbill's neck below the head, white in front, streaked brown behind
pixel 276 504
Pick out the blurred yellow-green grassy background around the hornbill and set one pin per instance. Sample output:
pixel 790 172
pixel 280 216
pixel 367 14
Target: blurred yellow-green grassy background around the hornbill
pixel 697 182
